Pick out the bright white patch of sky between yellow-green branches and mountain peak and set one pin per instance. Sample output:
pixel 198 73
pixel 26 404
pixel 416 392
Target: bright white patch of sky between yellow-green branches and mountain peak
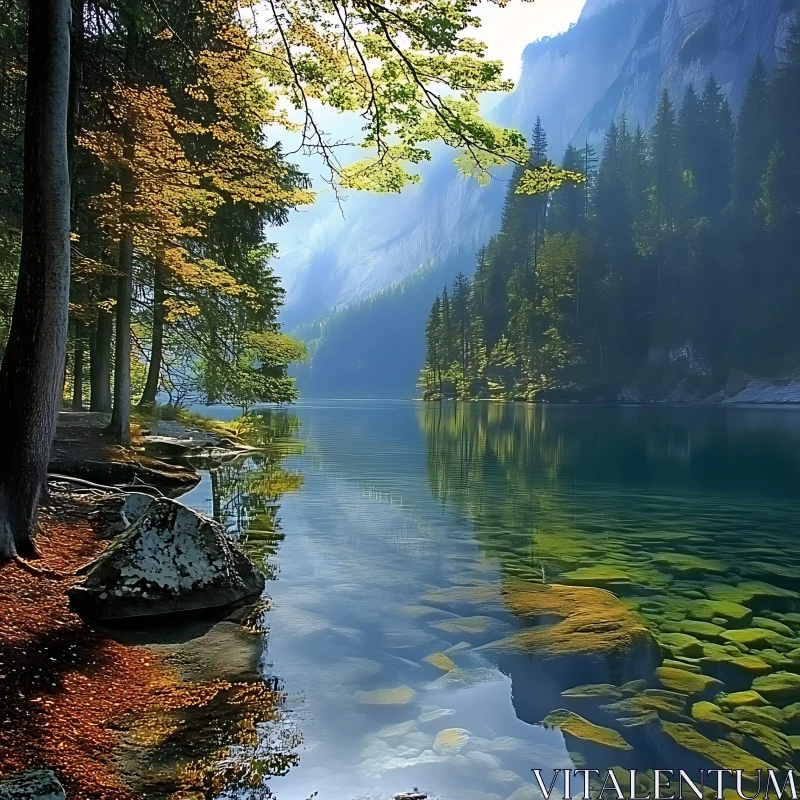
pixel 507 30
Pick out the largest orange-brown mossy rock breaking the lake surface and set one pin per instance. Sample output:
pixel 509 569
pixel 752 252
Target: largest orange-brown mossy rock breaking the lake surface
pixel 589 622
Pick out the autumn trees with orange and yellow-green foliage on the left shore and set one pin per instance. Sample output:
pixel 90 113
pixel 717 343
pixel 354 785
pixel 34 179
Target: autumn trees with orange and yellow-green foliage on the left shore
pixel 143 165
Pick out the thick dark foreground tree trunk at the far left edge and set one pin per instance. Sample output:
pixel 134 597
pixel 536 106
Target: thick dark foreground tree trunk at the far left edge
pixel 30 378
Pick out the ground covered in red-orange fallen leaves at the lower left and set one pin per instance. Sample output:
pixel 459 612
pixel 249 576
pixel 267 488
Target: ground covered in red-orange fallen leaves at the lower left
pixel 63 684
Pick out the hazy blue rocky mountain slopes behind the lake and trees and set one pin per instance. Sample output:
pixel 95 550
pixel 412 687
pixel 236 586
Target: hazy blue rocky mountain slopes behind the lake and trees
pixel 619 57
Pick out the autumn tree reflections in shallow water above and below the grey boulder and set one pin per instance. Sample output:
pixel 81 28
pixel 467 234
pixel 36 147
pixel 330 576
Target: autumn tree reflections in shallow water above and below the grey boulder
pixel 217 727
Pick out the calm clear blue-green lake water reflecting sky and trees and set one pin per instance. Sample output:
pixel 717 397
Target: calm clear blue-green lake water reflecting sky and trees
pixel 391 528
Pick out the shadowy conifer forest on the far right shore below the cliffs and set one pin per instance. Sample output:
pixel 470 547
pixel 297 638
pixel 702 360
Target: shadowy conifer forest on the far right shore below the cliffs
pixel 669 268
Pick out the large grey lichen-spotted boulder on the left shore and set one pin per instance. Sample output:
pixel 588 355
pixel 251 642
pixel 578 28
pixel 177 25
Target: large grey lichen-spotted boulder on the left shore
pixel 170 560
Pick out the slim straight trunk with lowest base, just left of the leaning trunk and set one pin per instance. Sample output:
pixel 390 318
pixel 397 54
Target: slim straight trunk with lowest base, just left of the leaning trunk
pixel 120 426
